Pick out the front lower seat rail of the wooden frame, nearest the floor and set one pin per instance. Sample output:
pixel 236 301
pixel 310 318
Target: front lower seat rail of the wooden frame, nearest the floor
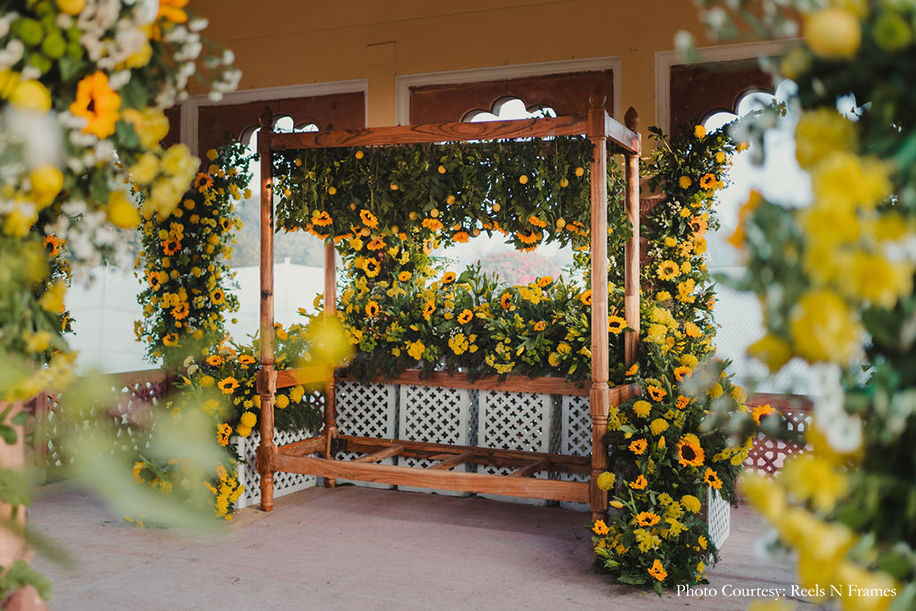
pixel 440 480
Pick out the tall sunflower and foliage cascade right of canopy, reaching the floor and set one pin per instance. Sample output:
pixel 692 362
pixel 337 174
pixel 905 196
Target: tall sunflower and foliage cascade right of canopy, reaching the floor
pixel 662 460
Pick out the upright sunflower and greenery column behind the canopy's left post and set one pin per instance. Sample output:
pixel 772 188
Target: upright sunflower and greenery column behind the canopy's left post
pixel 185 261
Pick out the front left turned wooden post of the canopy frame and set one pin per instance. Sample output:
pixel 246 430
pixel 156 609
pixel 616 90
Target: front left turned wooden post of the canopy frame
pixel 267 378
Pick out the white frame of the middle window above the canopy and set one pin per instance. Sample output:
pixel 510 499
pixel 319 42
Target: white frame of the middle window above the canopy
pixel 404 83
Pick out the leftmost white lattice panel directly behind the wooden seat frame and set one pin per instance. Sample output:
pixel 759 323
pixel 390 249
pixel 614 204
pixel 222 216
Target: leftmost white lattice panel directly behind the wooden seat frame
pixel 367 410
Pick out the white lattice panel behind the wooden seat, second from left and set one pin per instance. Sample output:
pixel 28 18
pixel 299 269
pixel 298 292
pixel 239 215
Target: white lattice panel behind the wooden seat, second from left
pixel 435 415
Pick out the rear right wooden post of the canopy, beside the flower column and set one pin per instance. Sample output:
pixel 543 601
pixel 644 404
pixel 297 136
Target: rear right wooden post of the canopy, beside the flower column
pixel 631 286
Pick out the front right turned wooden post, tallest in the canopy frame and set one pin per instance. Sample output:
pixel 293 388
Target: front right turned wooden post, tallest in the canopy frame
pixel 599 400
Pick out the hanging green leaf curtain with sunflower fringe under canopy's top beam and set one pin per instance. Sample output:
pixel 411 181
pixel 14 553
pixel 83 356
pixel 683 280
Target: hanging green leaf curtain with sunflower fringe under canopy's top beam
pixel 532 191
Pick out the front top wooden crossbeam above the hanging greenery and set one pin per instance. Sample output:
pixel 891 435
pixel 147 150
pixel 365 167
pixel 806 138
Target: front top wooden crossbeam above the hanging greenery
pixel 430 133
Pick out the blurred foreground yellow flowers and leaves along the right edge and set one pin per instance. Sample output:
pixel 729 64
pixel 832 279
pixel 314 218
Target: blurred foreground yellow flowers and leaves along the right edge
pixel 842 298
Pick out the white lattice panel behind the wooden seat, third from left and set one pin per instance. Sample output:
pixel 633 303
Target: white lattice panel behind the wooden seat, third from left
pixel 515 421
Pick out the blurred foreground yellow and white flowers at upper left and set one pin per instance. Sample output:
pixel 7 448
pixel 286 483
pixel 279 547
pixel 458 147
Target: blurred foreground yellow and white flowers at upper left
pixel 83 85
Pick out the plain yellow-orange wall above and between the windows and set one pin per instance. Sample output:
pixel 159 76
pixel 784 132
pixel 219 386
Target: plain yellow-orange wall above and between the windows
pixel 288 42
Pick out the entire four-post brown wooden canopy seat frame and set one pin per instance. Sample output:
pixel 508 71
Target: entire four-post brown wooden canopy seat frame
pixel 297 457
